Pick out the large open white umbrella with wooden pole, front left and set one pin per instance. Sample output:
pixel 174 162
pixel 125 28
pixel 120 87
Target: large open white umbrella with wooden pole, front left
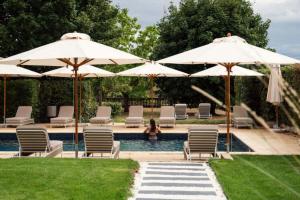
pixel 73 49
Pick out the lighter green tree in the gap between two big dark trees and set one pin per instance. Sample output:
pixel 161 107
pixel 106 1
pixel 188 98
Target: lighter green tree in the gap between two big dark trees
pixel 141 43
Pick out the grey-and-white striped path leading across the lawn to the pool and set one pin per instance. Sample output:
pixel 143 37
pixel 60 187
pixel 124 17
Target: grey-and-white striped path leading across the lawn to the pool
pixel 176 180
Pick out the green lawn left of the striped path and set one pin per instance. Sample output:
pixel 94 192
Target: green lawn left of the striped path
pixel 40 178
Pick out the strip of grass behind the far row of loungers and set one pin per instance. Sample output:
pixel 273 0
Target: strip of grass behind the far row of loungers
pixel 120 118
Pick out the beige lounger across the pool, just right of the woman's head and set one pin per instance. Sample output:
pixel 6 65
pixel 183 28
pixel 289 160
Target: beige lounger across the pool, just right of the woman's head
pixel 167 116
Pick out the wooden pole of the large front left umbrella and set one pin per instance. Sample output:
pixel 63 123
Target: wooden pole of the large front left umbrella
pixel 76 109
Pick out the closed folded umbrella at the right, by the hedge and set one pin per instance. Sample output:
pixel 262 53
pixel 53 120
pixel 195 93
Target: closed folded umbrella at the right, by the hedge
pixel 275 90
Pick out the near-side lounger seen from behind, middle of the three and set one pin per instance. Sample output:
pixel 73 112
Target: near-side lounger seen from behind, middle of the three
pixel 100 140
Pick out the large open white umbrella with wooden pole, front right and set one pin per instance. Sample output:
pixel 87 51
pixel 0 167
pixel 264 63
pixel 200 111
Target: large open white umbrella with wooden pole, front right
pixel 229 51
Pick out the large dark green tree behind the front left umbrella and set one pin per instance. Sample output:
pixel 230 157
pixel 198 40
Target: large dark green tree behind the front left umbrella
pixel 26 24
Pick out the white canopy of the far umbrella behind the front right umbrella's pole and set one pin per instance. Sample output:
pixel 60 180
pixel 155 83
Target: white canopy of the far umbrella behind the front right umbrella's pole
pixel 220 70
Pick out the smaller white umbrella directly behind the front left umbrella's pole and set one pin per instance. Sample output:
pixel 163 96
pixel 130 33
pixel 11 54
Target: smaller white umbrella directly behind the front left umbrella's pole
pixel 85 71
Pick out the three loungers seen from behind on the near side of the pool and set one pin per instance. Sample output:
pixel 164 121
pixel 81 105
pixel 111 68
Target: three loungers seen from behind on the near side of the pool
pixel 99 141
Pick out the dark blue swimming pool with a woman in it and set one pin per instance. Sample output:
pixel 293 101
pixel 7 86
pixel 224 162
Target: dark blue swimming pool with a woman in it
pixel 131 142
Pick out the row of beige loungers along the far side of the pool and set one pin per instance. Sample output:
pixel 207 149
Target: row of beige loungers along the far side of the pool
pixel 168 116
